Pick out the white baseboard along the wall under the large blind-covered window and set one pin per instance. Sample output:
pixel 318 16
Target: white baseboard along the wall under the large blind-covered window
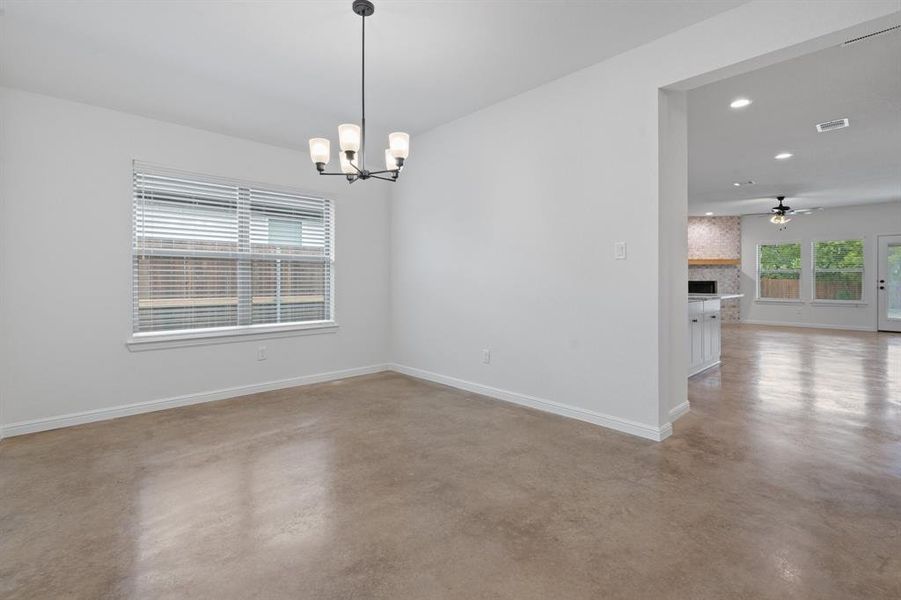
pixel 124 410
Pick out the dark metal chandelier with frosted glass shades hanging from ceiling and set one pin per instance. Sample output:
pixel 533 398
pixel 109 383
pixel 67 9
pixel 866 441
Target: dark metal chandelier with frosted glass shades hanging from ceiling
pixel 352 138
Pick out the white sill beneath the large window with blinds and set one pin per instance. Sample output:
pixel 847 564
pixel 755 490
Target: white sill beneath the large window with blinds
pixel 225 335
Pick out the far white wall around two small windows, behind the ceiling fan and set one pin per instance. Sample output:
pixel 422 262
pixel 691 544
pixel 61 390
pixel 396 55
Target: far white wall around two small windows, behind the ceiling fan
pixel 863 222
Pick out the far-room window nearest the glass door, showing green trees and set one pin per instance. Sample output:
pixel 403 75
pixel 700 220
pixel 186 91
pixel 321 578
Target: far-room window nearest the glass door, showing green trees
pixel 838 270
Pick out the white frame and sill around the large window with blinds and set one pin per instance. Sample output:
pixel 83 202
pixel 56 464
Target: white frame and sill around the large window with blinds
pixel 149 340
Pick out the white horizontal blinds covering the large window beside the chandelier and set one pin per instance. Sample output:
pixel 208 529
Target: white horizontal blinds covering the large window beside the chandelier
pixel 212 253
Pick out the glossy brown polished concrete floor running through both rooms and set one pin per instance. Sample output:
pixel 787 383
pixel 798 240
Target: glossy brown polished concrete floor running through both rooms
pixel 784 481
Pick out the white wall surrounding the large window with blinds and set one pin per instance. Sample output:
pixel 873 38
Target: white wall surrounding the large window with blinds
pixel 65 262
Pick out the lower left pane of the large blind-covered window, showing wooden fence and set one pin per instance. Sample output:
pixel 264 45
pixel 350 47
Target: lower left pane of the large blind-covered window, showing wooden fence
pixel 185 293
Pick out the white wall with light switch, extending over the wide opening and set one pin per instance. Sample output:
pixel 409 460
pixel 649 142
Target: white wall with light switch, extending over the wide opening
pixel 503 229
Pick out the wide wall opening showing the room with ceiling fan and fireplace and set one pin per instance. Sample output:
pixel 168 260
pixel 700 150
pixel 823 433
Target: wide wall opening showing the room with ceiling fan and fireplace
pixel 781 177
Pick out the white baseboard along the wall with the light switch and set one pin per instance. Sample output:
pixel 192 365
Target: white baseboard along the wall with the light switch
pixel 624 425
